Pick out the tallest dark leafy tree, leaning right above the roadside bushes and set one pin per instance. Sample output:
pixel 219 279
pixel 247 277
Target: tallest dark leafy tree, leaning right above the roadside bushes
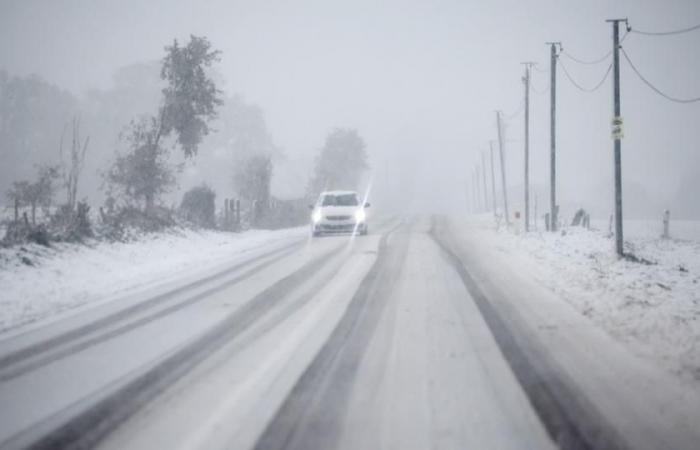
pixel 189 102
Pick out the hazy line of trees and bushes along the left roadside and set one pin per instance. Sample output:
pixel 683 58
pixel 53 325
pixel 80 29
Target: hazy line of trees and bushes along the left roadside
pixel 45 151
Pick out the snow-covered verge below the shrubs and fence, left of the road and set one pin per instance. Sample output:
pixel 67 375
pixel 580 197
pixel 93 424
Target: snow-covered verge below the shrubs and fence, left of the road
pixel 40 282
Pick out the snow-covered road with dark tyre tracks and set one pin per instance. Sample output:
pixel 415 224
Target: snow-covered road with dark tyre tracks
pixel 411 337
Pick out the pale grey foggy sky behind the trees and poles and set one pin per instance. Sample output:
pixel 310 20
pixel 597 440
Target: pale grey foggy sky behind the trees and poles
pixel 420 81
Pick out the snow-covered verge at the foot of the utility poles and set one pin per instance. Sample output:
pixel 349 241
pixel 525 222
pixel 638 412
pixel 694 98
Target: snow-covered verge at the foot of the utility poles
pixel 653 308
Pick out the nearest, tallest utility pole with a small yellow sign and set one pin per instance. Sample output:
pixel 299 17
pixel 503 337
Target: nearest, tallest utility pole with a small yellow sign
pixel 617 135
